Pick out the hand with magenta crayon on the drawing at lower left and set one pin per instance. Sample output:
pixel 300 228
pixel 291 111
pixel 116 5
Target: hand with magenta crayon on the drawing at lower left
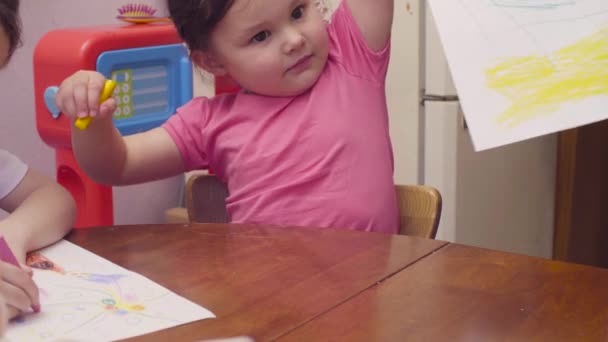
pixel 18 291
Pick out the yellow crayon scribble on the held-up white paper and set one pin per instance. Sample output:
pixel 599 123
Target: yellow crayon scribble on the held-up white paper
pixel 538 85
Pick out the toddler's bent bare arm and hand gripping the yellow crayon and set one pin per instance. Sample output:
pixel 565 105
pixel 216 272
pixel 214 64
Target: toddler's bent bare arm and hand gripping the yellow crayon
pixel 101 151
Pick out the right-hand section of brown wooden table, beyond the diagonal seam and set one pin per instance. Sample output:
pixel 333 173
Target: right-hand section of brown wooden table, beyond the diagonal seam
pixel 470 294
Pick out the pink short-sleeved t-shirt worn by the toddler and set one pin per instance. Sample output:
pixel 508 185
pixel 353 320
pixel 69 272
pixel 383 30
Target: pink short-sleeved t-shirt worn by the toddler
pixel 319 159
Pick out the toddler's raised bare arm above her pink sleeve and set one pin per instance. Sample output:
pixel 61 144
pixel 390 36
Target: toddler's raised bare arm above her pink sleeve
pixel 375 19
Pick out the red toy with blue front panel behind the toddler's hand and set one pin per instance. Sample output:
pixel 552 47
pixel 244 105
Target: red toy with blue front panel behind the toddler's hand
pixel 153 77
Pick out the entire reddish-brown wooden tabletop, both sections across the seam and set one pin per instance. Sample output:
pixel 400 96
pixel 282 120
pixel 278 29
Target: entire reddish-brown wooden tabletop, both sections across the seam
pixel 326 285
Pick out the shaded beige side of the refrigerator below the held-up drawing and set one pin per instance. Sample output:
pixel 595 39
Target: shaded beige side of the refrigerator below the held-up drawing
pixel 506 196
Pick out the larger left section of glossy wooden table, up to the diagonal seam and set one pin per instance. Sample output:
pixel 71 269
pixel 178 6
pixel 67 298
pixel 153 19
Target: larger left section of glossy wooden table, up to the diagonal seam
pixel 261 282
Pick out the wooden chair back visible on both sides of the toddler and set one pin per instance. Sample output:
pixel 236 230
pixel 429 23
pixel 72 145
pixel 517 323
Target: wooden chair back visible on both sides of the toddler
pixel 419 206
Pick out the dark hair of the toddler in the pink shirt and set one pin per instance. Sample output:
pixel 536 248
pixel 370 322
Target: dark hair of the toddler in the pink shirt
pixel 196 19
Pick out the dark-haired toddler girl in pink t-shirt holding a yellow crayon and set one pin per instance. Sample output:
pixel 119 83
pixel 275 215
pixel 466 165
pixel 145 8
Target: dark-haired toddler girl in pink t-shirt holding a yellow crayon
pixel 306 140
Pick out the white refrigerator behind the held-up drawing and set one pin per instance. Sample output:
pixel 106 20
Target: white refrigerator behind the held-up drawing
pixel 501 198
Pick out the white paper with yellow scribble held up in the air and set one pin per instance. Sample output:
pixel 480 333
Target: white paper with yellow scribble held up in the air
pixel 526 68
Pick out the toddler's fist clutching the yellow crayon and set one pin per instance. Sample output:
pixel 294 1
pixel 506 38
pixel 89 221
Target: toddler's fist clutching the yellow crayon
pixel 78 96
